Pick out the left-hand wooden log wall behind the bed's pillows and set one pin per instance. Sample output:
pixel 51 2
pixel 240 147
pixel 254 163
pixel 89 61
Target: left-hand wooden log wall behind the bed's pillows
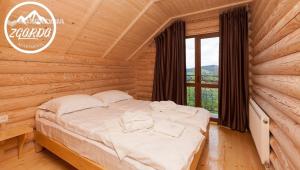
pixel 26 81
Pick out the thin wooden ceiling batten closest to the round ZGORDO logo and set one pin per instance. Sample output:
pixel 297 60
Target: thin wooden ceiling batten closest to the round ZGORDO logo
pixel 90 12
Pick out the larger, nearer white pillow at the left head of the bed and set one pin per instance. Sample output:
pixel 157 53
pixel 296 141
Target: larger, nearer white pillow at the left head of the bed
pixel 71 103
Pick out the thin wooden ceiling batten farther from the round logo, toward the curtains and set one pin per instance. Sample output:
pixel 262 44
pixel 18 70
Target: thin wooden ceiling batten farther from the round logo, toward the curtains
pixel 132 23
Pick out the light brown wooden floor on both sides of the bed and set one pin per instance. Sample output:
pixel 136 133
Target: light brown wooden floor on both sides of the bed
pixel 226 150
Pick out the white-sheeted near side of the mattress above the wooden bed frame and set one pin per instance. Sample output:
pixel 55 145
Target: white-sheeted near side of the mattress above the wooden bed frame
pixel 90 149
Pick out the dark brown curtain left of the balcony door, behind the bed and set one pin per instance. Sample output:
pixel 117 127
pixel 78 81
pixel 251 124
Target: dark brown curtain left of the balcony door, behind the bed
pixel 169 72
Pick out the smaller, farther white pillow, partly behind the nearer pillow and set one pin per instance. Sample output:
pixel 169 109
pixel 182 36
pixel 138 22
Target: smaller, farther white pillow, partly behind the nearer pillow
pixel 112 96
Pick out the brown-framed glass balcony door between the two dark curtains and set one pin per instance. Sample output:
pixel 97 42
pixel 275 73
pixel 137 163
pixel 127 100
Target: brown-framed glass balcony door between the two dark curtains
pixel 202 72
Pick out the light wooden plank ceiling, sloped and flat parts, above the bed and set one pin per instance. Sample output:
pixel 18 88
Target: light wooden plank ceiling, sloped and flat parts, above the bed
pixel 114 28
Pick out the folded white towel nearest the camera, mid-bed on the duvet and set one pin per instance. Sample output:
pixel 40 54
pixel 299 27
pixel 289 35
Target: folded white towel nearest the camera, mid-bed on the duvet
pixel 138 120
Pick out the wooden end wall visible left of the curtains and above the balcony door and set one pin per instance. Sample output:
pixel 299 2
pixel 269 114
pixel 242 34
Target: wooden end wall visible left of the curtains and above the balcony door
pixel 144 63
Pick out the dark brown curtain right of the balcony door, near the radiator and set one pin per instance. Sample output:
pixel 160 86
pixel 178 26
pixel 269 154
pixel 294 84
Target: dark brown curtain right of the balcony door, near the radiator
pixel 233 91
